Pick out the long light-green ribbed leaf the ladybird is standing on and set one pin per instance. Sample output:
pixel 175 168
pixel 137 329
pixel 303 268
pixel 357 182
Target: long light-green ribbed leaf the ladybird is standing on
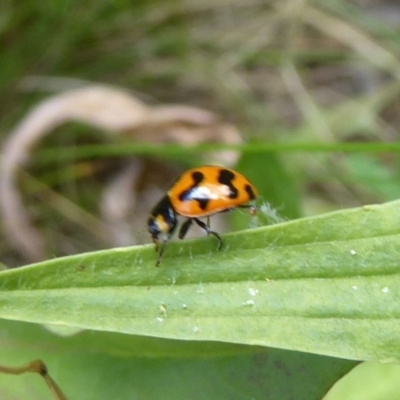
pixel 327 285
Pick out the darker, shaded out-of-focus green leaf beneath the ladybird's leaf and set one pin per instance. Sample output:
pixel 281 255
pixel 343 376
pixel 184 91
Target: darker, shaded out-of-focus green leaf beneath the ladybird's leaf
pixel 97 365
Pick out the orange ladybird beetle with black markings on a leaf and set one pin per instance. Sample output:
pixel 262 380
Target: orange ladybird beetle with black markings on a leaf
pixel 198 192
